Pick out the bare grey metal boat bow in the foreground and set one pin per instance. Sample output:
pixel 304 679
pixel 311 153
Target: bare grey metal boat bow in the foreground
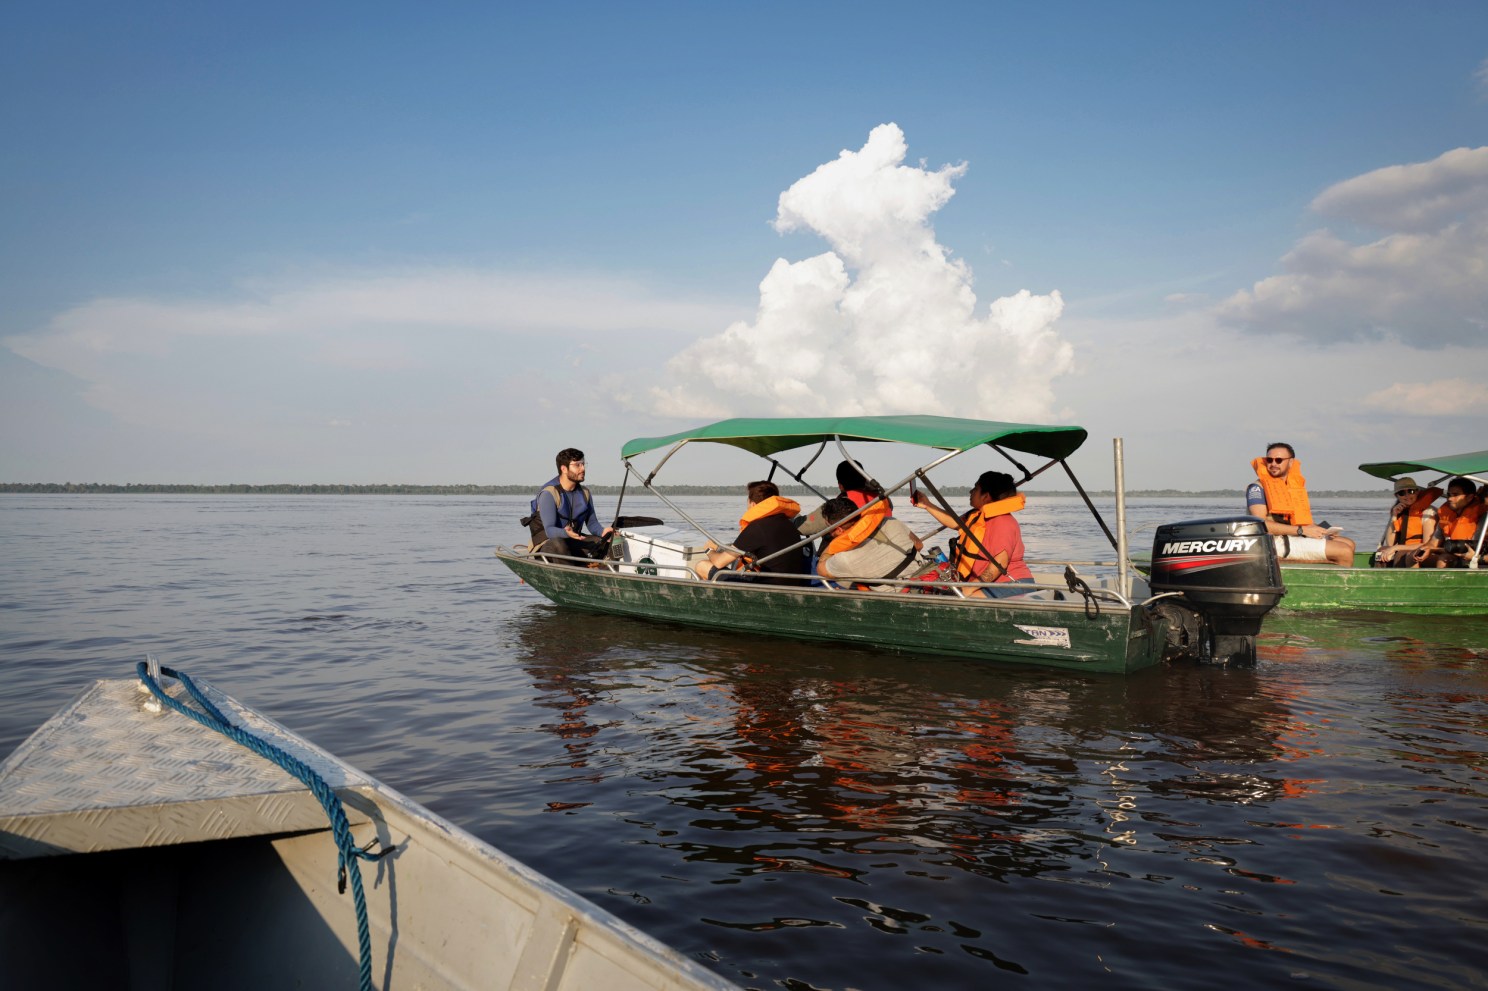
pixel 144 850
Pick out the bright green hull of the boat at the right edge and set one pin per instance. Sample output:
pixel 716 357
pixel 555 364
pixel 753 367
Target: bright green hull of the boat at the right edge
pixel 1419 591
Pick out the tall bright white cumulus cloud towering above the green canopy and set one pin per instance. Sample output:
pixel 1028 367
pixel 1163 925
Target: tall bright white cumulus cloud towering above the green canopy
pixel 883 324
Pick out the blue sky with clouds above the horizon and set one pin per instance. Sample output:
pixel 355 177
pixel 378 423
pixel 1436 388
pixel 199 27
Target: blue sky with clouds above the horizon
pixel 385 243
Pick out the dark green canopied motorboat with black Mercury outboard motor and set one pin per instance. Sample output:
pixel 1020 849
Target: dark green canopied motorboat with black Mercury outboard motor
pixel 1080 615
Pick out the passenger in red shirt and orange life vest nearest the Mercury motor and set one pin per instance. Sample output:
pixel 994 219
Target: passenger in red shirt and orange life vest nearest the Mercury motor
pixel 990 541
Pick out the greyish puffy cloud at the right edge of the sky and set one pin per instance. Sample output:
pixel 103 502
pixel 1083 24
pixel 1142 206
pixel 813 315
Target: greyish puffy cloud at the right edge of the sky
pixel 1425 282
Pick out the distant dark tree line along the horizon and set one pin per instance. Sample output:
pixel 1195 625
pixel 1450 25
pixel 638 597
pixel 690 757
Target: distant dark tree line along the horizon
pixel 151 489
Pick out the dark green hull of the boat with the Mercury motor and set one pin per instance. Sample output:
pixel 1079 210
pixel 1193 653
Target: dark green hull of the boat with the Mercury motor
pixel 1060 635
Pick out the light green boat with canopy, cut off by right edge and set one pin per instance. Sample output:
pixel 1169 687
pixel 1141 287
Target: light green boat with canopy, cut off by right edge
pixel 1417 591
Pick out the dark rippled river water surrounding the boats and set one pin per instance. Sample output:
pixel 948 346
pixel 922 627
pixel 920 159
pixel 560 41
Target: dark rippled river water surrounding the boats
pixel 807 816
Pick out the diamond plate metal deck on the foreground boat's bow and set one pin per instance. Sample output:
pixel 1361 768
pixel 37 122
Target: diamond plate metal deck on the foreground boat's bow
pixel 108 774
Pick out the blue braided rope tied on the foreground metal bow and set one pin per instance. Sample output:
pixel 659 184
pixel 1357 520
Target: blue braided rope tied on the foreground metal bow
pixel 347 850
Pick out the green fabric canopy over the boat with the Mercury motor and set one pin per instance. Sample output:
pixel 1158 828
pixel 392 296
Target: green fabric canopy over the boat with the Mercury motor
pixel 770 437
